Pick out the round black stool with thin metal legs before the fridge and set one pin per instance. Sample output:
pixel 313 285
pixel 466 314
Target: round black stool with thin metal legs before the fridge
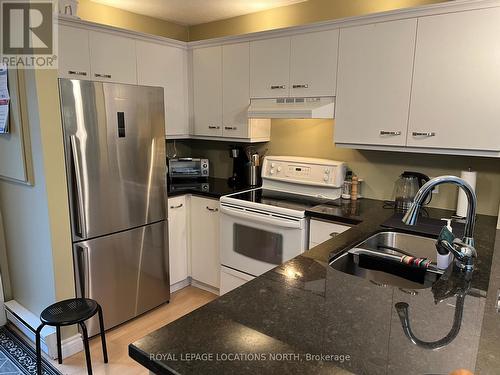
pixel 69 312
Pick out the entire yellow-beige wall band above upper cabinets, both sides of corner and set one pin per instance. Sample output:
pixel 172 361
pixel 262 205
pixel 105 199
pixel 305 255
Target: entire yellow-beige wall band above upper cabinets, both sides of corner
pixel 297 14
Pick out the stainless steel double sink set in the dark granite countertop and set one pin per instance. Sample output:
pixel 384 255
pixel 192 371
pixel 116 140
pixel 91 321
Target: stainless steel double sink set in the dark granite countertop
pixel 378 259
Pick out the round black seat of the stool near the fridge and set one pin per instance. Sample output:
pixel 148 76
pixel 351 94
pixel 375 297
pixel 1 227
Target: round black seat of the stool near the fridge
pixel 69 311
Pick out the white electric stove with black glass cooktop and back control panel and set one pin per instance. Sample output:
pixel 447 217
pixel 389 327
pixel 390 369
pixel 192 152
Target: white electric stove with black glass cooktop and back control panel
pixel 264 227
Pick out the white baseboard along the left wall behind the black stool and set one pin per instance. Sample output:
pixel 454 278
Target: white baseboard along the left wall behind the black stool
pixel 27 323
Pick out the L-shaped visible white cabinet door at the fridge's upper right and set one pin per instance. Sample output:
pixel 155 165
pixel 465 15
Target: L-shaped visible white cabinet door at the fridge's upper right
pixel 159 65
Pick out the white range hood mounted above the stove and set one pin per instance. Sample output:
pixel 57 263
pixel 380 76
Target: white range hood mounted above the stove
pixel 292 108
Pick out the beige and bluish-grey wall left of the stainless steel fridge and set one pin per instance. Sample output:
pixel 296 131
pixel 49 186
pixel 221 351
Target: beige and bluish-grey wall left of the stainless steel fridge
pixel 36 218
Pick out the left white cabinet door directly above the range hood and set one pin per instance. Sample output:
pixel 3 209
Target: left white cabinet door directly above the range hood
pixel 270 68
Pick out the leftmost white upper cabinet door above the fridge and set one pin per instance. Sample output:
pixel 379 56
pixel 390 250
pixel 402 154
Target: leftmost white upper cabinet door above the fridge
pixel 74 58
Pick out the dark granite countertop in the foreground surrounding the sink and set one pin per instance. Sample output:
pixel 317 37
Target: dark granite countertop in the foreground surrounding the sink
pixel 304 317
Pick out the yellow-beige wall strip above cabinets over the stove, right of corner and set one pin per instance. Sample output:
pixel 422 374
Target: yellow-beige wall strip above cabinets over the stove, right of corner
pixel 297 14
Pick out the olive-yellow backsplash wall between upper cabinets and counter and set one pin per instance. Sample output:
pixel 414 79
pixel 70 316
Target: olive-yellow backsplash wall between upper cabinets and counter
pixel 379 169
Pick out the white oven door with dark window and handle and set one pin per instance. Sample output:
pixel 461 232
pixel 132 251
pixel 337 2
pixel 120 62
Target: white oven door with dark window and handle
pixel 254 242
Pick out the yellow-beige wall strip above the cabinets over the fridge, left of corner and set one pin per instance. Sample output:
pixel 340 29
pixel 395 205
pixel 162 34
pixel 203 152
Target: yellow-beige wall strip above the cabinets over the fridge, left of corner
pixel 111 16
